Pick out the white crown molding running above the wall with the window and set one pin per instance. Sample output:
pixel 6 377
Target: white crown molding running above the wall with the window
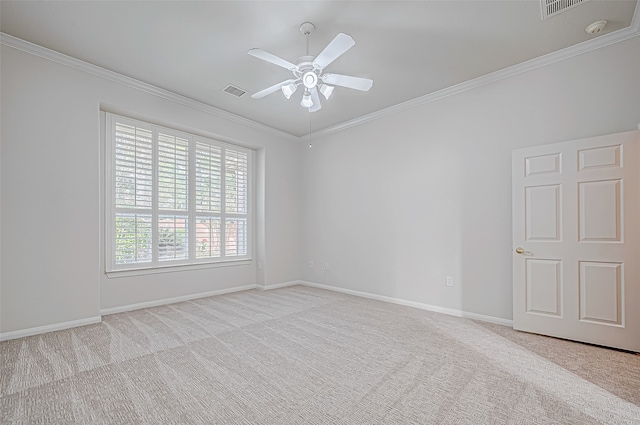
pixel 52 55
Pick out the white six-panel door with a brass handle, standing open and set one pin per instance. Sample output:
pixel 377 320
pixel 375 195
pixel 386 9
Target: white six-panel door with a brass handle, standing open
pixel 576 240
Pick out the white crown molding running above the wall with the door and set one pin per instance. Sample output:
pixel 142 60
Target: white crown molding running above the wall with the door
pixel 586 46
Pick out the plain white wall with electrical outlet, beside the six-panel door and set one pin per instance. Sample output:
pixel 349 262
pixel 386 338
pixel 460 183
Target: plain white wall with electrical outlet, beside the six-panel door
pixel 396 204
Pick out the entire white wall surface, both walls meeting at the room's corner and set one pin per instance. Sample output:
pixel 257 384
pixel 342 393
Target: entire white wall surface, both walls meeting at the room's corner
pixel 393 205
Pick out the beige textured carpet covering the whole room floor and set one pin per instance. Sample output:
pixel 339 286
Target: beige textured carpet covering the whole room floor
pixel 301 355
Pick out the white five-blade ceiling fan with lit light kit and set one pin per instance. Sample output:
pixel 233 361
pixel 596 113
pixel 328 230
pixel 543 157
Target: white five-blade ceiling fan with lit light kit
pixel 308 71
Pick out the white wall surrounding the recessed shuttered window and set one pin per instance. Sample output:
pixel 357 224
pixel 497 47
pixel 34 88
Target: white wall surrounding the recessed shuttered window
pixel 51 187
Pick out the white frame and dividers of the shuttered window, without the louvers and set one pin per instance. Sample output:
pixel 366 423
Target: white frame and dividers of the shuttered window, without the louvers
pixel 192 261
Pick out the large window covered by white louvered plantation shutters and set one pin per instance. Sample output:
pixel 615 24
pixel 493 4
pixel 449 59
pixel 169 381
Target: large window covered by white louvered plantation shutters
pixel 174 198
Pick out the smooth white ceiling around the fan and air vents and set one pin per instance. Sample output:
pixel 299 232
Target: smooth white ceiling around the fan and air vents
pixel 409 48
